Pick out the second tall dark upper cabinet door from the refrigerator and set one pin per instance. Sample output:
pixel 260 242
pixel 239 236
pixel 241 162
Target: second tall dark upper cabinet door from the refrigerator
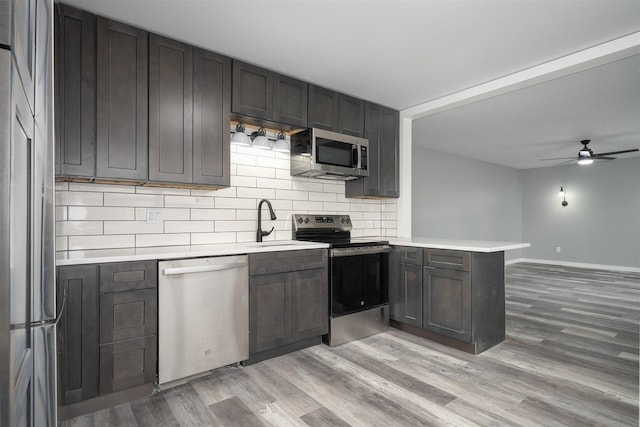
pixel 122 101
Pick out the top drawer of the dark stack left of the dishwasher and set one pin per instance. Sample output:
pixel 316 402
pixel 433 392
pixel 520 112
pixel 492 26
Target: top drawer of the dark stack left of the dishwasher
pixel 127 276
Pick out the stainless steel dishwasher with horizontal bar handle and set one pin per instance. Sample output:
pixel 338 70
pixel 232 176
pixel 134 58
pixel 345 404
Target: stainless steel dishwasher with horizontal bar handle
pixel 203 315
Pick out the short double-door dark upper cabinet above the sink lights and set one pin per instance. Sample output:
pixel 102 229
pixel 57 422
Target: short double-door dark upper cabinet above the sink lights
pixel 267 98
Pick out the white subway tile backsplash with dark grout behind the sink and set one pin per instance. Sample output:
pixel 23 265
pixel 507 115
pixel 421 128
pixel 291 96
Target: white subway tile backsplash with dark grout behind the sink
pixel 99 216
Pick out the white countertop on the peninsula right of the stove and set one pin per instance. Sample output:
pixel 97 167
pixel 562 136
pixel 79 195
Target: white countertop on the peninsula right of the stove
pixel 456 244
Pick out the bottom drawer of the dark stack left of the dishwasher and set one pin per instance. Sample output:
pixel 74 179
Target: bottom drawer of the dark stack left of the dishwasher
pixel 127 364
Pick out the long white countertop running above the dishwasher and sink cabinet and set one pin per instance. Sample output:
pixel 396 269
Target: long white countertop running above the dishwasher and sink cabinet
pixel 172 252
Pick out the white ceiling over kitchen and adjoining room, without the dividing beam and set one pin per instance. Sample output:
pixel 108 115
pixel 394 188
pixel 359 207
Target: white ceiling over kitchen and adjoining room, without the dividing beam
pixel 405 53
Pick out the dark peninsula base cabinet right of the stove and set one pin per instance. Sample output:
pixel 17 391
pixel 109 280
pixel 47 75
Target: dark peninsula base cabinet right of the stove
pixel 462 297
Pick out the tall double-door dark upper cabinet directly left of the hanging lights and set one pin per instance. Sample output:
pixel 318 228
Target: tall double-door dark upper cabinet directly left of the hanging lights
pixel 189 98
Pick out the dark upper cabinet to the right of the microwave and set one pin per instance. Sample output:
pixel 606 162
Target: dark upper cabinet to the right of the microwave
pixel 381 129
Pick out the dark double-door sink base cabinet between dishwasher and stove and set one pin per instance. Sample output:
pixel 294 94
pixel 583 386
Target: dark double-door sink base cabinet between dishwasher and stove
pixel 288 301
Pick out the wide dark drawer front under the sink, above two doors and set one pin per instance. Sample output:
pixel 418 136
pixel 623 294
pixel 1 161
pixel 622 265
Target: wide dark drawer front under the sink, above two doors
pixel 279 262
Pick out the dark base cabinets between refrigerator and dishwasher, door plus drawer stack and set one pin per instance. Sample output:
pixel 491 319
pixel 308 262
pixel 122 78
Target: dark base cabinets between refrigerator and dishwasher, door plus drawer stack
pixel 108 330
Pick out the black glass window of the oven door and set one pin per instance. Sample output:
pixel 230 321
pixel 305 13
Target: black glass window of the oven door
pixel 358 283
